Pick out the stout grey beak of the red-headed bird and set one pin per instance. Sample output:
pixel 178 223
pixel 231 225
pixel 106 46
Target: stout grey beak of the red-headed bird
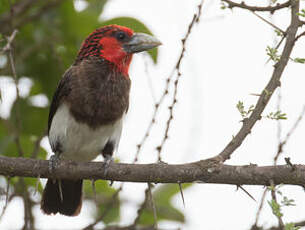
pixel 140 42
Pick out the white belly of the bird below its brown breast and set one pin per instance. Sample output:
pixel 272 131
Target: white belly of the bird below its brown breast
pixel 79 142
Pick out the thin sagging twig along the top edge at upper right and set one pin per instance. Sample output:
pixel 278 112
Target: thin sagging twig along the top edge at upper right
pixel 270 9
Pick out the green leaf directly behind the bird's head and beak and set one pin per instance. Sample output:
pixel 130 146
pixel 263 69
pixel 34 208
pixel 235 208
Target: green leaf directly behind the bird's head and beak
pixel 135 25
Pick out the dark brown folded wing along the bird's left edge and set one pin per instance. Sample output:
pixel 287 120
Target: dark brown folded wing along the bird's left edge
pixel 62 91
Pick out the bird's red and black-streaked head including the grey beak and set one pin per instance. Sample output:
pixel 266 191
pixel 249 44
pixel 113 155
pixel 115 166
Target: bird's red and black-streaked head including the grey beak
pixel 116 44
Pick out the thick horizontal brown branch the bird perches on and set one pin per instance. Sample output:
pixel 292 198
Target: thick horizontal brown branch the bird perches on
pixel 207 171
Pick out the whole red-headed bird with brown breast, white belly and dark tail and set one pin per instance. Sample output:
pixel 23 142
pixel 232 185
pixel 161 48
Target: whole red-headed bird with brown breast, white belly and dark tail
pixel 88 109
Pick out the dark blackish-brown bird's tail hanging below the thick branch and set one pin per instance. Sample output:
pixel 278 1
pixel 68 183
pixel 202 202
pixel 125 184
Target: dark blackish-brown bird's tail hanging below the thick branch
pixel 63 196
